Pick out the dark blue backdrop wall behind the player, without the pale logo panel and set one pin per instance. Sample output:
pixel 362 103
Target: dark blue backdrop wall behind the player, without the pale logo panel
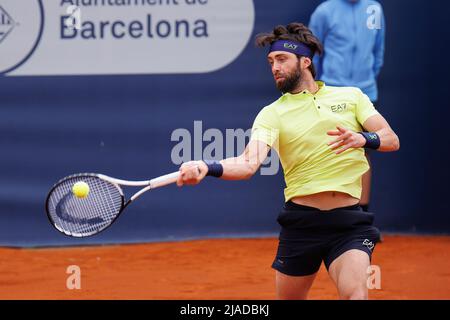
pixel 51 127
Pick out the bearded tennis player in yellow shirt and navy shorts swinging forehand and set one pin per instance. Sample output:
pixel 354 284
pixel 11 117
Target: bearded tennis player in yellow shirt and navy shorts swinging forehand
pixel 318 132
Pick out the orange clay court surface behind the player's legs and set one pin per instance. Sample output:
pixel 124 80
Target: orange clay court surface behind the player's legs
pixel 412 267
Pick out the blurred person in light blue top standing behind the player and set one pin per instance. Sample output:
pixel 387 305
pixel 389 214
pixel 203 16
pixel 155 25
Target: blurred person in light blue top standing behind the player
pixel 352 32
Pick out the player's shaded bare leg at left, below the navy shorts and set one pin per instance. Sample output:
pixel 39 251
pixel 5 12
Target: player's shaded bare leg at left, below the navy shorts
pixel 293 287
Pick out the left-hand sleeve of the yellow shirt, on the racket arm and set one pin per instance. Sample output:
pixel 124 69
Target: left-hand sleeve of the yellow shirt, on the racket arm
pixel 266 127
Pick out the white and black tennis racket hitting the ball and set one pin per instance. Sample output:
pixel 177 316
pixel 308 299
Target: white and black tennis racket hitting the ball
pixel 101 204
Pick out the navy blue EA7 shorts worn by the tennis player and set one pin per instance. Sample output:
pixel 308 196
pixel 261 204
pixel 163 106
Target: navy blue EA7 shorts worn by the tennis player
pixel 309 236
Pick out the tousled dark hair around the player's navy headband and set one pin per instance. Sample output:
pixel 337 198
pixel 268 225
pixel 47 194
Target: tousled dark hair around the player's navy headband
pixel 294 31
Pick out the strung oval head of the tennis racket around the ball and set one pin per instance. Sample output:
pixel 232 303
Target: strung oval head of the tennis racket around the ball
pixel 84 216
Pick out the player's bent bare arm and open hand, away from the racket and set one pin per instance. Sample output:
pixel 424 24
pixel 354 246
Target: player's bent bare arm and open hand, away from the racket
pixel 346 138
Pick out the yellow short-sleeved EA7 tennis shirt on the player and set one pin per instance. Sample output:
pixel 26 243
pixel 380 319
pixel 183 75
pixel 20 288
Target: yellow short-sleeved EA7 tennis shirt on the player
pixel 296 127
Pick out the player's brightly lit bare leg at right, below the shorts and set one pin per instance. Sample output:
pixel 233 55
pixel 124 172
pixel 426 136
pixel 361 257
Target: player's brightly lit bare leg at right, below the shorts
pixel 349 273
